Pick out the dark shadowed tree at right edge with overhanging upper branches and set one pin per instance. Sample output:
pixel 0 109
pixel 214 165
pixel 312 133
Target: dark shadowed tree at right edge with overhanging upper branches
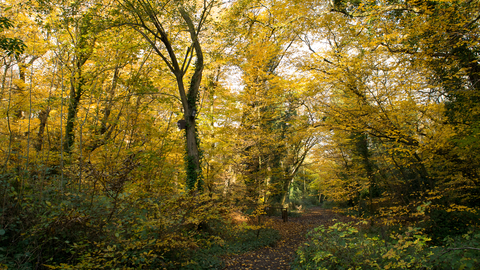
pixel 440 36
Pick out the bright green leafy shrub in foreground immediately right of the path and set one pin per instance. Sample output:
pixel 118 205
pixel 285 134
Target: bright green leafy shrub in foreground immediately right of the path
pixel 343 246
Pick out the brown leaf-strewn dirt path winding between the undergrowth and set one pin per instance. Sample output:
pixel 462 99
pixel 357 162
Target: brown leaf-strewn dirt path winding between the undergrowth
pixel 293 233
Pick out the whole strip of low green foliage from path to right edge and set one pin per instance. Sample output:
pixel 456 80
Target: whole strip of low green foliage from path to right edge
pixel 344 246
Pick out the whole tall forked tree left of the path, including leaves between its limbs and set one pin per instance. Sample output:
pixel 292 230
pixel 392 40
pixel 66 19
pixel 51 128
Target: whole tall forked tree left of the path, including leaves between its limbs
pixel 173 28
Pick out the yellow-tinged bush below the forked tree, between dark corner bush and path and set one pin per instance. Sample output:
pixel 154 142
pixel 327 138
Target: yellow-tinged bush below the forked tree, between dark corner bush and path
pixel 149 233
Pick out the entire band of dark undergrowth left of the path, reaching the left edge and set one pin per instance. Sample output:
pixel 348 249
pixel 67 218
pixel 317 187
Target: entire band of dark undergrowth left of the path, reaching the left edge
pixel 134 230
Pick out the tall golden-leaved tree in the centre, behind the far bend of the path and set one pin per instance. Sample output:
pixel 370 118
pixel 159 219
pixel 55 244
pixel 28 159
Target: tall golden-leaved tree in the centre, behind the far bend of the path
pixel 273 138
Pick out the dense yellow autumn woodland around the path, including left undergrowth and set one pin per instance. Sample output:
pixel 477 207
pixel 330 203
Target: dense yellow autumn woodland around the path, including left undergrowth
pixel 137 123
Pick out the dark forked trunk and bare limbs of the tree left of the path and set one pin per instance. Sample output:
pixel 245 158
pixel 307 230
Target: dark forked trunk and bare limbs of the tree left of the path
pixel 154 33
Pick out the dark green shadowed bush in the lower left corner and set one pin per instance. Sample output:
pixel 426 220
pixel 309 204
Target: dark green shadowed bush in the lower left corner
pixel 47 227
